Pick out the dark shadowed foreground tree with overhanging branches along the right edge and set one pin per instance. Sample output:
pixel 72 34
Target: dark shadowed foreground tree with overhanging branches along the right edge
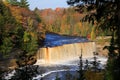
pixel 107 15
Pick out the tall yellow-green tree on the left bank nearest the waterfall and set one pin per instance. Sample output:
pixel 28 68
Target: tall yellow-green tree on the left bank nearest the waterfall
pixel 29 46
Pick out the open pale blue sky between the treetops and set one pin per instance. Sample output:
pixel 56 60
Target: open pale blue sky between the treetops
pixel 42 4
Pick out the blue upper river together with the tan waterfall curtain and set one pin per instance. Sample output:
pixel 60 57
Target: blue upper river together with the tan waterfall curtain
pixel 62 48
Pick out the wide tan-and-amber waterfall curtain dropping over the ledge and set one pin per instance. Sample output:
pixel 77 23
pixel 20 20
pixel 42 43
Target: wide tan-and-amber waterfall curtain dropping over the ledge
pixel 66 52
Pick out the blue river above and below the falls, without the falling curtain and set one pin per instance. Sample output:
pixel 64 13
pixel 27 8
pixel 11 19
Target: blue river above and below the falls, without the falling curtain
pixel 64 68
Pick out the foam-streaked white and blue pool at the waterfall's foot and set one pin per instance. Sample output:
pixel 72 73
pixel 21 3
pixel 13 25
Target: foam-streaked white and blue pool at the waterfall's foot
pixel 69 67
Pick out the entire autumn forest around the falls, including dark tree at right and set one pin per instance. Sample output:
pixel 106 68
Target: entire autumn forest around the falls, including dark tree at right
pixel 22 31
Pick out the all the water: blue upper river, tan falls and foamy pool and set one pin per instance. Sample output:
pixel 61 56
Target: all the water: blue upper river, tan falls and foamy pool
pixel 62 48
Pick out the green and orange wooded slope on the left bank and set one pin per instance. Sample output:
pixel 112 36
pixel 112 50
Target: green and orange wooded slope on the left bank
pixel 20 34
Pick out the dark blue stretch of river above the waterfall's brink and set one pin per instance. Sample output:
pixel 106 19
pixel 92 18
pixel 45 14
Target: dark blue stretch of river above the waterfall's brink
pixel 52 40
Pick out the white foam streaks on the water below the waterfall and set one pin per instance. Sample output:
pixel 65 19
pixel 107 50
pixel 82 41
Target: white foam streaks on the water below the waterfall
pixel 102 60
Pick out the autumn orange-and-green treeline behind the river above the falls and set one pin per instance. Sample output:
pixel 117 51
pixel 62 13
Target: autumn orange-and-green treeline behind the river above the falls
pixel 68 22
